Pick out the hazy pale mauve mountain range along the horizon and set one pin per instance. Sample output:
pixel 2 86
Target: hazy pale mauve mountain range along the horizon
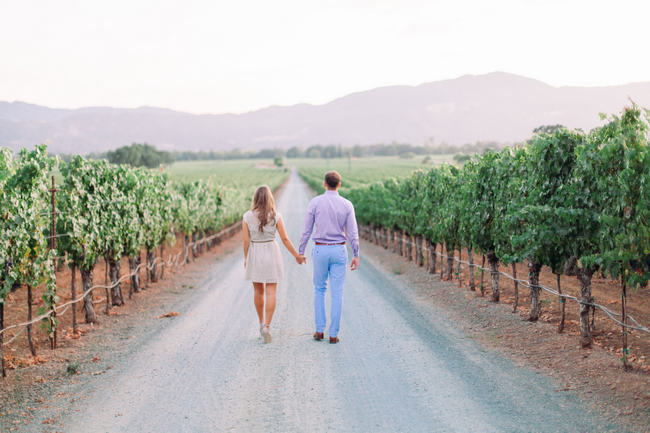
pixel 497 106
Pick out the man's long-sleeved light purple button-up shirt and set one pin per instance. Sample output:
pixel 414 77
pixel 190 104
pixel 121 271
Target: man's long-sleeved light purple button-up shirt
pixel 333 216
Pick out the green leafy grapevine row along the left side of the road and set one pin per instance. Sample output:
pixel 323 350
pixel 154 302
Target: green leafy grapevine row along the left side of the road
pixel 98 210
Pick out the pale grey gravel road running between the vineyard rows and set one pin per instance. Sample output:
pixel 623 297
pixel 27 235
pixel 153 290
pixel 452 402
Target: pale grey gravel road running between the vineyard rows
pixel 400 365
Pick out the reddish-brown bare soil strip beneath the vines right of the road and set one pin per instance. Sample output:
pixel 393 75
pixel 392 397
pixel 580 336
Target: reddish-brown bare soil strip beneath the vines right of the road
pixel 595 375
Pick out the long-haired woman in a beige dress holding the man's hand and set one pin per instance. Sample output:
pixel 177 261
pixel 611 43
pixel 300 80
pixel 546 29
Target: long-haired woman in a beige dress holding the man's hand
pixel 262 257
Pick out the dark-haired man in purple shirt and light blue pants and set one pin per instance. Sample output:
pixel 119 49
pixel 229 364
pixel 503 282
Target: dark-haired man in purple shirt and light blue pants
pixel 334 217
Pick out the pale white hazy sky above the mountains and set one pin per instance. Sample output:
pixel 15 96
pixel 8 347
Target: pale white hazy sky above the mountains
pixel 215 56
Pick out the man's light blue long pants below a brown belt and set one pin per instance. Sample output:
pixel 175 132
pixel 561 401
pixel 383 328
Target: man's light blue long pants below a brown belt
pixel 330 262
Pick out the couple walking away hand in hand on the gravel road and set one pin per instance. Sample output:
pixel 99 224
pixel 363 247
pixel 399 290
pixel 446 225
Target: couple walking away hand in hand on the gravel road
pixel 330 218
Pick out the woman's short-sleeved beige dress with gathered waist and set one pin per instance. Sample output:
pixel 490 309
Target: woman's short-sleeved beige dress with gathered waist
pixel 264 261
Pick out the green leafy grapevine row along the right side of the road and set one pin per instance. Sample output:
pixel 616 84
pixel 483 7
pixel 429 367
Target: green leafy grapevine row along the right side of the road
pixel 573 201
